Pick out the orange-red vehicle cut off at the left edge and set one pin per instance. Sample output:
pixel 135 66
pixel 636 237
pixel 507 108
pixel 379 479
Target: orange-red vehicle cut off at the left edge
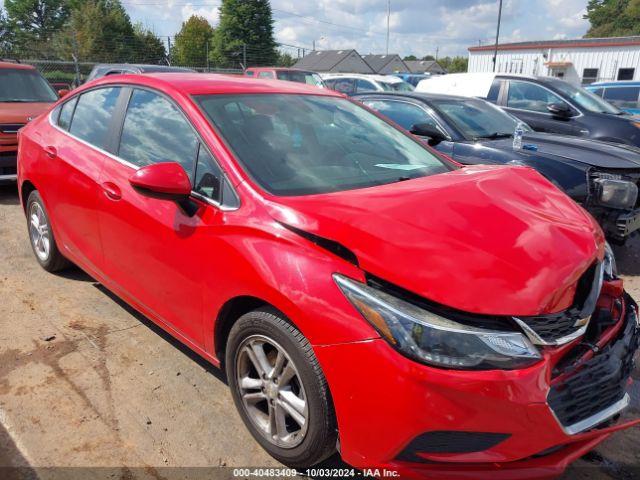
pixel 24 94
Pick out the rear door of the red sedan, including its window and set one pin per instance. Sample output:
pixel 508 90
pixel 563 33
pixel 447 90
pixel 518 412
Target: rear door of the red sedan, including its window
pixel 75 158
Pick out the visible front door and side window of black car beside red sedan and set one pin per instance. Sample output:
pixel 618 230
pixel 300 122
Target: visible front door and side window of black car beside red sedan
pixel 406 113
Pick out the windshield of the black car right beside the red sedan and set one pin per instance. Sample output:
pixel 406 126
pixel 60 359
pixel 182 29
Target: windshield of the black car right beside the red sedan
pixel 477 118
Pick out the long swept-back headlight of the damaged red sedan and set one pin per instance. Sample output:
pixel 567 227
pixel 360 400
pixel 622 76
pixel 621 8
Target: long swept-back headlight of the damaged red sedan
pixel 432 339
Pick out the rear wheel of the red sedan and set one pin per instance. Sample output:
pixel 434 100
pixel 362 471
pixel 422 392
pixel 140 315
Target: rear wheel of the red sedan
pixel 41 236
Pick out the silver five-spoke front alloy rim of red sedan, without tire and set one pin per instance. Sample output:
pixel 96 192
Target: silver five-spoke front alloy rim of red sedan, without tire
pixel 272 392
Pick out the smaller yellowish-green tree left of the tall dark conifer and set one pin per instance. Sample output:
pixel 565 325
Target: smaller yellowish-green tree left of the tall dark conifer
pixel 192 42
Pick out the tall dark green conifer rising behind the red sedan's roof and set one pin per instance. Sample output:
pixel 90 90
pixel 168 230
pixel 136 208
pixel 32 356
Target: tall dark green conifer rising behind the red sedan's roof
pixel 245 31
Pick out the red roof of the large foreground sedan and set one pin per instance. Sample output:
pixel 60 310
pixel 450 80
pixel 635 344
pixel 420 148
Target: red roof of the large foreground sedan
pixel 212 83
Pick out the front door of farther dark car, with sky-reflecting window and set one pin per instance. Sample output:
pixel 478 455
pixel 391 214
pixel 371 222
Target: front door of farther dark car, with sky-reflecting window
pixel 529 102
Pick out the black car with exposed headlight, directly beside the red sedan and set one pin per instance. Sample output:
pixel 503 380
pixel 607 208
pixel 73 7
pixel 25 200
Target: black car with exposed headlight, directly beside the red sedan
pixel 603 177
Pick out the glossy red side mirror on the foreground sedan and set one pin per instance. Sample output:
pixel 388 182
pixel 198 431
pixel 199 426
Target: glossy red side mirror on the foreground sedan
pixel 167 181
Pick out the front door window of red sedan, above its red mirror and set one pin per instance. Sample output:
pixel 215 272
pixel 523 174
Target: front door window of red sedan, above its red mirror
pixel 156 131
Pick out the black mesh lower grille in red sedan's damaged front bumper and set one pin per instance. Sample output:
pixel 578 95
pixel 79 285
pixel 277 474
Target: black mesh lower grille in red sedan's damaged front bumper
pixel 599 382
